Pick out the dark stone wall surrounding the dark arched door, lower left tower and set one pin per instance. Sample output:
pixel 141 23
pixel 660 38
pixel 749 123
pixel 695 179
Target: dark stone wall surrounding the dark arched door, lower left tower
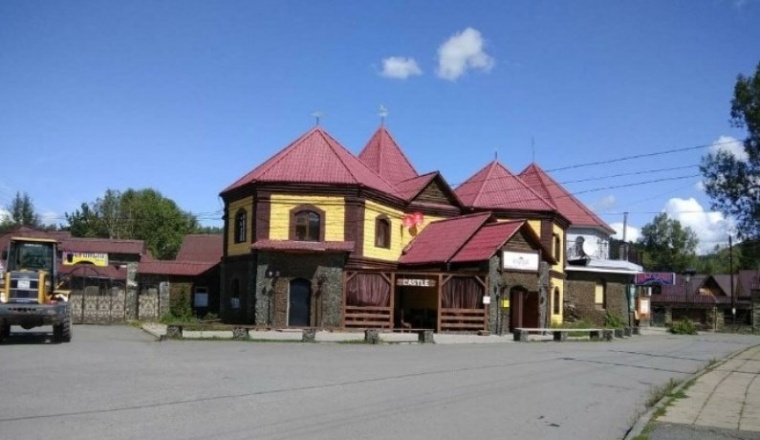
pixel 325 271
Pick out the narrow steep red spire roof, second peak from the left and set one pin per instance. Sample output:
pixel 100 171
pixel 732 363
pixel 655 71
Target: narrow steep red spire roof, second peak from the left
pixel 383 155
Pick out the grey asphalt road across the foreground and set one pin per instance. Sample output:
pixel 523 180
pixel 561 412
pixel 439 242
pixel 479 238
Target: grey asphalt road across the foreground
pixel 119 383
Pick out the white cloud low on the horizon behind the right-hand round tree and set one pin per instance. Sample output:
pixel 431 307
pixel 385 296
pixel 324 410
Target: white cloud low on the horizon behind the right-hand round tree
pixel 710 226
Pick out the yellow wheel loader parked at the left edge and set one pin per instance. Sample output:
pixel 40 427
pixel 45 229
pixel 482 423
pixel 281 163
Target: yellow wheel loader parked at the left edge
pixel 28 298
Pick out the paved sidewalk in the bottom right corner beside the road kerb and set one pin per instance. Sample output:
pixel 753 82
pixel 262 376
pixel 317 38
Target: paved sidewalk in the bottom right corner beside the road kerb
pixel 723 402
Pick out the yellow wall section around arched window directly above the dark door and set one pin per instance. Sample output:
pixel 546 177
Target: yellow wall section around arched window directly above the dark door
pixel 334 221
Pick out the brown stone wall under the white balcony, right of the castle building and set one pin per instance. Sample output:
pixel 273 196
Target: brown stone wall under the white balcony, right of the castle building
pixel 579 301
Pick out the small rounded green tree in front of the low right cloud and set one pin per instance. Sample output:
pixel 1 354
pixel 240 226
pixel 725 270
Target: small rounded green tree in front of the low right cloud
pixel 667 245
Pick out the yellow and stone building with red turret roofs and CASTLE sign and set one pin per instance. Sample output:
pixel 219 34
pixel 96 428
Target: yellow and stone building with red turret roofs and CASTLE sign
pixel 318 237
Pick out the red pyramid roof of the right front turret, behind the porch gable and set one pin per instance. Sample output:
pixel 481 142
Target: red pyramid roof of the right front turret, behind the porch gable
pixel 495 187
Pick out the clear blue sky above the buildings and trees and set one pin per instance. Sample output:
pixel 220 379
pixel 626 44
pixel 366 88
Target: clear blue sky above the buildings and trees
pixel 187 96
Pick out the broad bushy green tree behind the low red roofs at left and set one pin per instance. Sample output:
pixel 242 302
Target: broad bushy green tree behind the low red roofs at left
pixel 135 215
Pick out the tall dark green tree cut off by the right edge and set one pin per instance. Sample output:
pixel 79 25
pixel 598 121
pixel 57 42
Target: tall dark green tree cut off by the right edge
pixel 730 181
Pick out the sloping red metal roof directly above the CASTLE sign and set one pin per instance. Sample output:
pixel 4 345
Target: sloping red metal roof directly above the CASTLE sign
pixel 441 240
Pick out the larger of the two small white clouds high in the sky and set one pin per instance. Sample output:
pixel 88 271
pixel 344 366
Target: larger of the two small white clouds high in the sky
pixel 461 52
